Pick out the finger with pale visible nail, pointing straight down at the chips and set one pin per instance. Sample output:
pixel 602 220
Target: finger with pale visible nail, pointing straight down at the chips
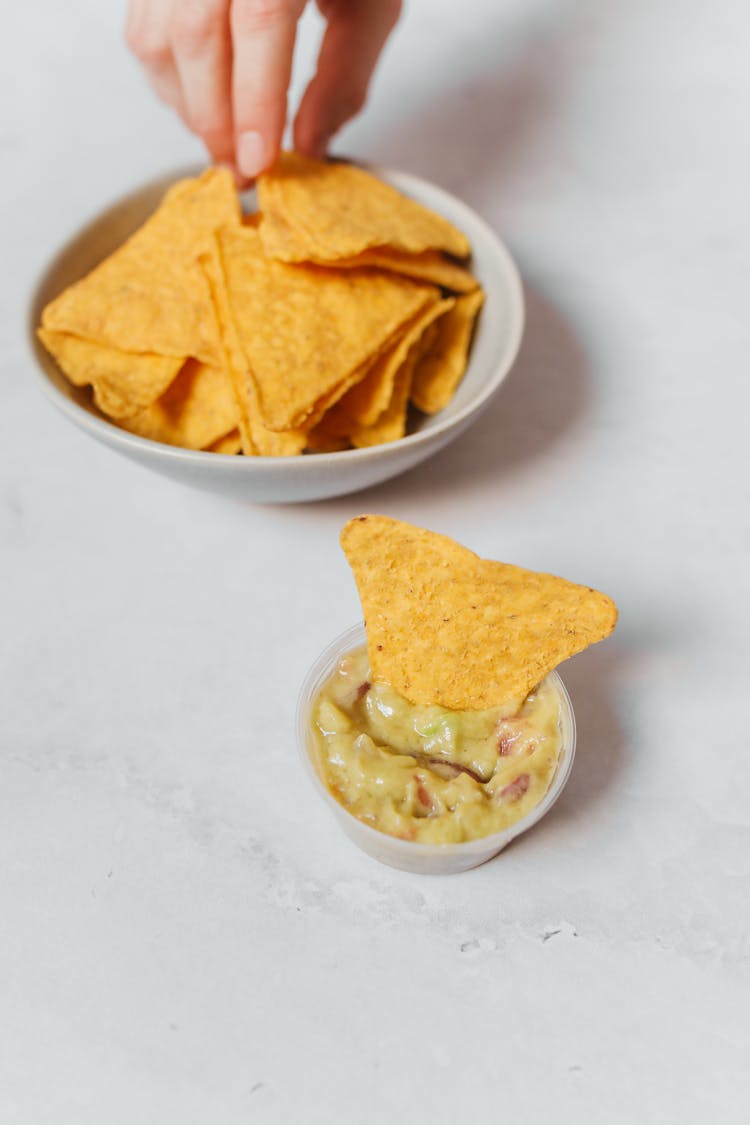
pixel 264 43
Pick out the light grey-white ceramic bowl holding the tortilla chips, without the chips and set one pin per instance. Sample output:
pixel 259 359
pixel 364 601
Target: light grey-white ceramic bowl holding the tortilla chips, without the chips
pixel 290 480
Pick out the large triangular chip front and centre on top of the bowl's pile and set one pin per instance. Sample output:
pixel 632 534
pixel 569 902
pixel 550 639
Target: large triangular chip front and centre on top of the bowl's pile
pixel 305 332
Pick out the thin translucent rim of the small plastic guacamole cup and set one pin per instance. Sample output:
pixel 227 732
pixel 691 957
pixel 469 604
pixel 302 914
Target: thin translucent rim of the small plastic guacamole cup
pixel 486 847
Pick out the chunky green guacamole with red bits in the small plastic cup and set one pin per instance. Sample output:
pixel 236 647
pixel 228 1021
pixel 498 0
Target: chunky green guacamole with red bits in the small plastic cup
pixel 429 775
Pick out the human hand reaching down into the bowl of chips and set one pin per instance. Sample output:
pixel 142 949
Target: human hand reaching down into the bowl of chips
pixel 225 67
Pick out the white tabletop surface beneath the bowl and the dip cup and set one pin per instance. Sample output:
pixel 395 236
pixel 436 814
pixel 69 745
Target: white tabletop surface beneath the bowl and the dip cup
pixel 185 935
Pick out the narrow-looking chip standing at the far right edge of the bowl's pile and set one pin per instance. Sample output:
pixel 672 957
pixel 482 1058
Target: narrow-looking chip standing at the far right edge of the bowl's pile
pixel 441 370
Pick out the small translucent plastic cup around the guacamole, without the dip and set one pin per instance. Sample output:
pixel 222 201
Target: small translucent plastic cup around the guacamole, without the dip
pixel 423 859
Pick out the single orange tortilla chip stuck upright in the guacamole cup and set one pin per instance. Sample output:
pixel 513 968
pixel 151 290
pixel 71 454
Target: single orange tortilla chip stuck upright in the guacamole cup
pixel 446 627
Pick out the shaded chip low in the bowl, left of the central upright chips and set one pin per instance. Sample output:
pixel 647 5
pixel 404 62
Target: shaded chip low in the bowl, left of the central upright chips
pixel 197 410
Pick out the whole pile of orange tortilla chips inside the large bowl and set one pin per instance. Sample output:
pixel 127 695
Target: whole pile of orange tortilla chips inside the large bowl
pixel 310 326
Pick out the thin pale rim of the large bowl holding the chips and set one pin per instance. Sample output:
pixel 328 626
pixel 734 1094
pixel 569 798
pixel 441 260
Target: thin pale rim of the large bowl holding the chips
pixel 107 431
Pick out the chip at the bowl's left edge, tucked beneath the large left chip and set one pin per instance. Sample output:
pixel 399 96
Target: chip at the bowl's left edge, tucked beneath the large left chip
pixel 124 383
